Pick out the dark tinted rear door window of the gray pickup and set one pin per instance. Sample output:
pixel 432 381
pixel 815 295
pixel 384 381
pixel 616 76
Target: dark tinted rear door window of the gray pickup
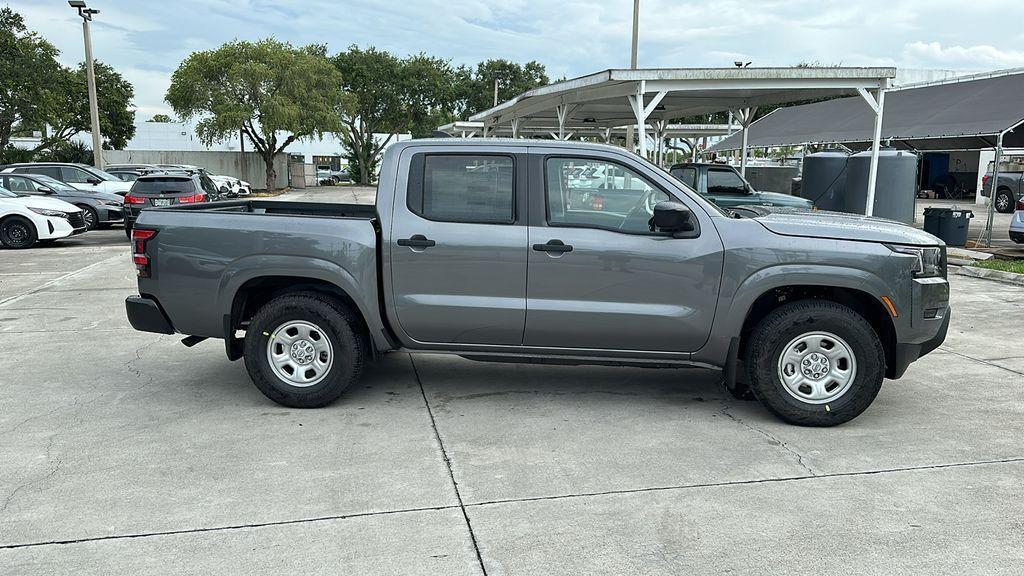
pixel 465 189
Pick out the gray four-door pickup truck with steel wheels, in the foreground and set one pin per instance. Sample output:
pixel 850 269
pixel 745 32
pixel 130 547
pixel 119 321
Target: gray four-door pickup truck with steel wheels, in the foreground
pixel 481 249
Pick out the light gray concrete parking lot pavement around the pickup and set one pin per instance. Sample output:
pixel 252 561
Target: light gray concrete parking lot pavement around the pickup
pixel 126 452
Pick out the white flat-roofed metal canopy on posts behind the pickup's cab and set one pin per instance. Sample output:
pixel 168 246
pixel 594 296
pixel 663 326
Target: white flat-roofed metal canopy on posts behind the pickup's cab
pixel 649 99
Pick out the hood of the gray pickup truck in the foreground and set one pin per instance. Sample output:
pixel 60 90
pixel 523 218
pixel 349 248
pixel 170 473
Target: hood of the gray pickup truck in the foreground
pixel 839 226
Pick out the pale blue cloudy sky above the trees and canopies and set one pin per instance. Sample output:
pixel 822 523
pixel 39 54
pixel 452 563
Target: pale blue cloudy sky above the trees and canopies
pixel 147 39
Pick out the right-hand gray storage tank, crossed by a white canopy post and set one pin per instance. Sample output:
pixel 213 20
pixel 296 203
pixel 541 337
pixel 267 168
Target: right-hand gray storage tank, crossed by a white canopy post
pixel 897 189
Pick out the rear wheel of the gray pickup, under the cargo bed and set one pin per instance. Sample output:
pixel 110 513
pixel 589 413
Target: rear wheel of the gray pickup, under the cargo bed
pixel 289 321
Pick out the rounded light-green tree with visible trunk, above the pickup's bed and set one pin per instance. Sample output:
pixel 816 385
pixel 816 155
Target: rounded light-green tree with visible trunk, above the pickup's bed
pixel 273 93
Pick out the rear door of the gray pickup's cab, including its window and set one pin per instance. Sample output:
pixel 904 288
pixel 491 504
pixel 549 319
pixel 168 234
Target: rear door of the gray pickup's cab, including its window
pixel 458 246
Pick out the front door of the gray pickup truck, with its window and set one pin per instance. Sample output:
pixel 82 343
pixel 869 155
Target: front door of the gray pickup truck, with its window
pixel 600 278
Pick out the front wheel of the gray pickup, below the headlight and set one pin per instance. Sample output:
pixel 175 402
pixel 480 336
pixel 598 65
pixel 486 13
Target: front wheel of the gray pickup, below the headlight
pixel 824 400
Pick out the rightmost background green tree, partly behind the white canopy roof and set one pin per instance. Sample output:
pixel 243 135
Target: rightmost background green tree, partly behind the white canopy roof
pixel 514 79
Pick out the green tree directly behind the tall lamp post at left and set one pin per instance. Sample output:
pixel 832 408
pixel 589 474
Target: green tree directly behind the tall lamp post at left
pixel 70 115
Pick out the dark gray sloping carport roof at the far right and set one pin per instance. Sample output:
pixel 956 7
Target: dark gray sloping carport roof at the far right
pixel 967 113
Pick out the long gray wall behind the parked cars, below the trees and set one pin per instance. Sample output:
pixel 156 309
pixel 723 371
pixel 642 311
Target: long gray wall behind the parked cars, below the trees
pixel 248 167
